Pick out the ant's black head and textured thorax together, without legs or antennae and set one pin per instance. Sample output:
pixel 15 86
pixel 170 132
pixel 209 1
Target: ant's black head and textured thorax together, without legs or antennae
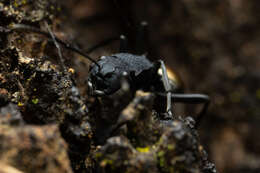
pixel 140 72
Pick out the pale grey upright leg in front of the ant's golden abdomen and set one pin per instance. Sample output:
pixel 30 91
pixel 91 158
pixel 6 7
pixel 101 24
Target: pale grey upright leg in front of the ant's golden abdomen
pixel 167 87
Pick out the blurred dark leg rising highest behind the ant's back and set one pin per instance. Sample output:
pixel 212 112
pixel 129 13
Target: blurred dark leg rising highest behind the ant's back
pixel 141 38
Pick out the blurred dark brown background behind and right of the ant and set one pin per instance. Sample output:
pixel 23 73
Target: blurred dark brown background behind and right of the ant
pixel 213 45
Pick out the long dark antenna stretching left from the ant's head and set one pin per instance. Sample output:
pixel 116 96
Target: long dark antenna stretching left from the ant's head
pixel 49 35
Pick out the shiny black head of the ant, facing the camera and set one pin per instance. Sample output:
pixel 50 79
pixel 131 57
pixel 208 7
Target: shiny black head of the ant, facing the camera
pixel 104 78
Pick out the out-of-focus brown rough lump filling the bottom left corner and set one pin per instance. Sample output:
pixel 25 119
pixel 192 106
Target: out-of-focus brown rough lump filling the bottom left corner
pixel 30 148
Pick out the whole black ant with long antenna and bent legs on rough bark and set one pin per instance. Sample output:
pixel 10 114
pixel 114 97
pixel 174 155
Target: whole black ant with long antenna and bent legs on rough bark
pixel 106 74
